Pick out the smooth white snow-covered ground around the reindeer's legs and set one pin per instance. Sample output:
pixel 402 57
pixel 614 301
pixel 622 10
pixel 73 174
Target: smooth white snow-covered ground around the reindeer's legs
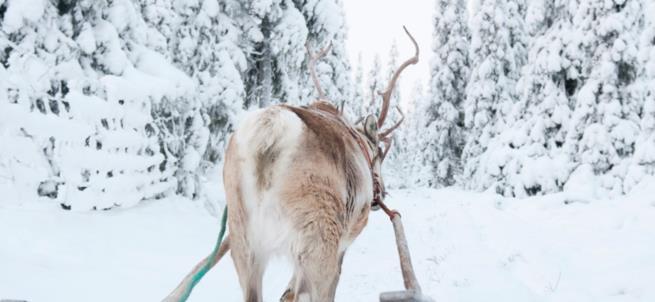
pixel 466 247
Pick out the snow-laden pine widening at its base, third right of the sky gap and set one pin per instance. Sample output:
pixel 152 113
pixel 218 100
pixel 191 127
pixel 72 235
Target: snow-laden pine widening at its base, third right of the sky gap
pixel 534 161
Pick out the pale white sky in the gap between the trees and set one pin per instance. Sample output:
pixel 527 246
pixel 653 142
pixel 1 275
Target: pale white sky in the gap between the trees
pixel 373 25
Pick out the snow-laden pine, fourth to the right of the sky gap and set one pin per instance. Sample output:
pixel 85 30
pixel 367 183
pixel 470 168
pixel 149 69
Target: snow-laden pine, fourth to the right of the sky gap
pixel 605 121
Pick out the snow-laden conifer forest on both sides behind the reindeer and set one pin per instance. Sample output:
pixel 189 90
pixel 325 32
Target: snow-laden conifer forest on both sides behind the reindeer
pixel 101 96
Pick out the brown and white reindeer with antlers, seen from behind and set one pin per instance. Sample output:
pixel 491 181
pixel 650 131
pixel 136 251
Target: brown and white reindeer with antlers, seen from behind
pixel 299 183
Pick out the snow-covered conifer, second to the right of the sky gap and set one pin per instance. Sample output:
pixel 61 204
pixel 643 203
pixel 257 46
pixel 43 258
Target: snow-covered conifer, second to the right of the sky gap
pixel 497 53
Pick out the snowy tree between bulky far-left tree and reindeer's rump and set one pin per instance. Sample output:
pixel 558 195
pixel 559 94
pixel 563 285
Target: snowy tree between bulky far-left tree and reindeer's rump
pixel 205 46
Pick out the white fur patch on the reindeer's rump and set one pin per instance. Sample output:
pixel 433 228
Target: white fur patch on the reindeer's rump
pixel 270 230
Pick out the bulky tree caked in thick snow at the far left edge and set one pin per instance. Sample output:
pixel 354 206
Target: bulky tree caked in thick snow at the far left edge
pixel 80 81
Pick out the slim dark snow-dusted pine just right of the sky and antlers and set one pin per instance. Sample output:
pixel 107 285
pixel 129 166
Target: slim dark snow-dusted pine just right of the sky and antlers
pixel 449 75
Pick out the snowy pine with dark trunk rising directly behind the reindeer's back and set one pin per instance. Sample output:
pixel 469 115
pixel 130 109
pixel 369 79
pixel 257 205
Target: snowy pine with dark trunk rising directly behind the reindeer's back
pixel 275 35
